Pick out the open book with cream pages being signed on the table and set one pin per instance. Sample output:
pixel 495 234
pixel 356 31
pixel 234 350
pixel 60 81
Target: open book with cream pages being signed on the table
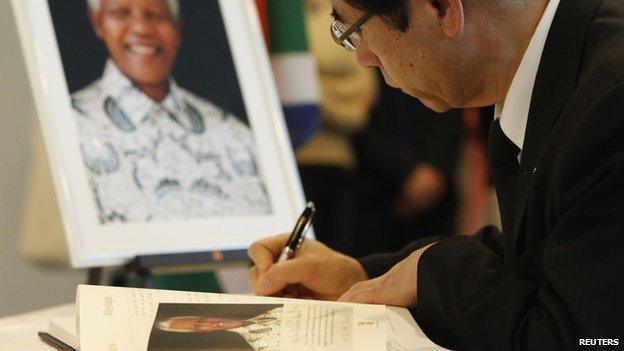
pixel 130 319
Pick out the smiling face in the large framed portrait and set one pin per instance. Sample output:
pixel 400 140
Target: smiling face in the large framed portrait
pixel 141 36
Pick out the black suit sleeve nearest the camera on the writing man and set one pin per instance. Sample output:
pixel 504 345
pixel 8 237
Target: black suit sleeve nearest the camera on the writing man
pixel 469 299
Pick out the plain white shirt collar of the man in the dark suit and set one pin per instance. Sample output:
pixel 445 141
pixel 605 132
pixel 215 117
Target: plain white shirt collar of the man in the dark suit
pixel 514 111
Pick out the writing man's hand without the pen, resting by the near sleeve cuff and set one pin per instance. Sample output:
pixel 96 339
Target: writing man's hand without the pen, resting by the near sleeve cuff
pixel 398 287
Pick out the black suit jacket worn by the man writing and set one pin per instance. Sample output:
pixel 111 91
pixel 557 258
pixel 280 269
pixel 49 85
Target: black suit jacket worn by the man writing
pixel 557 273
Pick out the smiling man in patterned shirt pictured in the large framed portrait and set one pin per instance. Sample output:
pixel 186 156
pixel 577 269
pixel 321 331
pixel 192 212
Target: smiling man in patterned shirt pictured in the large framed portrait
pixel 154 150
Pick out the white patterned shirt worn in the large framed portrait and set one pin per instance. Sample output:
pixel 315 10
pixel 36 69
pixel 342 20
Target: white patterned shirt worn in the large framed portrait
pixel 178 159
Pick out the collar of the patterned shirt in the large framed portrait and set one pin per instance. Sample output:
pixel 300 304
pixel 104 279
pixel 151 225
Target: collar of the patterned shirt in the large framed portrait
pixel 135 104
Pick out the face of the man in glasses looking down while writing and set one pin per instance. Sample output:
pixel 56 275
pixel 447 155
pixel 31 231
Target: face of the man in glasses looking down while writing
pixel 422 61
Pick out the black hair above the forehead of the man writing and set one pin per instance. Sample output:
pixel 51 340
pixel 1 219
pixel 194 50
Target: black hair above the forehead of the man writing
pixel 393 12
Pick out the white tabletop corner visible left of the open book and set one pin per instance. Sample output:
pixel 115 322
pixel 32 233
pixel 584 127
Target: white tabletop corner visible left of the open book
pixel 19 332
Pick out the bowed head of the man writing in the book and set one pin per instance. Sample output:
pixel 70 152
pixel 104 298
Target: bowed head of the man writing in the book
pixel 443 52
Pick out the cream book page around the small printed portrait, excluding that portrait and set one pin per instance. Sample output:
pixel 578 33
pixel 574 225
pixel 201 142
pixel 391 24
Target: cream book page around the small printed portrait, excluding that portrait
pixel 120 319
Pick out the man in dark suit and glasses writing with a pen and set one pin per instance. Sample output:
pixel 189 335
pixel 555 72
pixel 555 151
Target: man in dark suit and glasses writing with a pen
pixel 554 279
